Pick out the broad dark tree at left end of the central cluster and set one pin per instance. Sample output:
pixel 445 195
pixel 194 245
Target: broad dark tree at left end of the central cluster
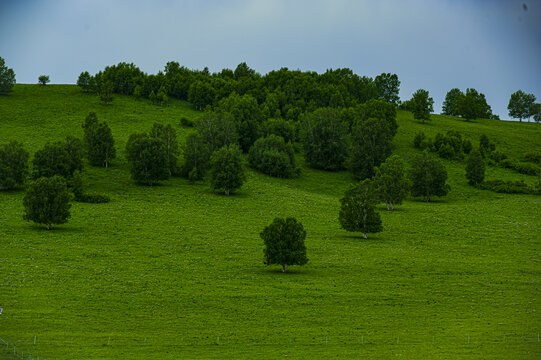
pixel 148 159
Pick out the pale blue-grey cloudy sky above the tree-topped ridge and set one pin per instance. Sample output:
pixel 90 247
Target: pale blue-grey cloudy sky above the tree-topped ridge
pixel 491 45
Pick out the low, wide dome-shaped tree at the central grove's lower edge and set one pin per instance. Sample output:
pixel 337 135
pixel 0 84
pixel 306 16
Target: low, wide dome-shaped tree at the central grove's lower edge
pixel 271 155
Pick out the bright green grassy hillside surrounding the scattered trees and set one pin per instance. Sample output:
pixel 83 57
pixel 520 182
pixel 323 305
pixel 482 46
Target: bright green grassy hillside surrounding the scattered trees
pixel 176 271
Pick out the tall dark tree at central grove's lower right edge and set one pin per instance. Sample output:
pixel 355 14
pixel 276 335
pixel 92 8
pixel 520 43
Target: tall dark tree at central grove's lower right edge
pixel 371 145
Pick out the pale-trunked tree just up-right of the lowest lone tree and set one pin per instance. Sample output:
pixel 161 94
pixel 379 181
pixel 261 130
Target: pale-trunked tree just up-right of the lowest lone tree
pixel 357 210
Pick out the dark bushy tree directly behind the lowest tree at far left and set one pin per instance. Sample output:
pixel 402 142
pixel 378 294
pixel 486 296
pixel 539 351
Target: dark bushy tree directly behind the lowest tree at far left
pixel 53 159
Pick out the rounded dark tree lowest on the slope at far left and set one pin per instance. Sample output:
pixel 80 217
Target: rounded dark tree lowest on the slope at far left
pixel 47 201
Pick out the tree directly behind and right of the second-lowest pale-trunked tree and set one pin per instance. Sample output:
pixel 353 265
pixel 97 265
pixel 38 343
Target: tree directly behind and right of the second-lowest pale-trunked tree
pixel 391 182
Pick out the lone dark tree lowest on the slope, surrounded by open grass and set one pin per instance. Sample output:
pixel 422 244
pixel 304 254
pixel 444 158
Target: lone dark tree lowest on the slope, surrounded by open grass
pixel 284 243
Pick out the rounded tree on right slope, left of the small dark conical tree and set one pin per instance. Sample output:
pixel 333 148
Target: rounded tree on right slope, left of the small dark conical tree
pixel 428 177
